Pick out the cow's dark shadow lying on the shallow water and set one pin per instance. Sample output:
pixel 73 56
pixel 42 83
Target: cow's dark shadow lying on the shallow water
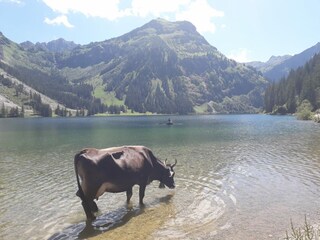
pixel 106 222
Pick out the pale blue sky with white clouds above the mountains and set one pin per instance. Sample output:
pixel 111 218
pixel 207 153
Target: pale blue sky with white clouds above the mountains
pixel 244 30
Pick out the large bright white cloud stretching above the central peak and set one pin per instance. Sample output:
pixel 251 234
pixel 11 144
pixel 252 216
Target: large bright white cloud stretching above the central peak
pixel 199 12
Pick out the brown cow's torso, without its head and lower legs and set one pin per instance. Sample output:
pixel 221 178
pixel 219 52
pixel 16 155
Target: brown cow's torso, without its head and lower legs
pixel 113 169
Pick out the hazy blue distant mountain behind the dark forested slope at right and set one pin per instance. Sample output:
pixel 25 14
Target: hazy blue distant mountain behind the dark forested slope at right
pixel 283 65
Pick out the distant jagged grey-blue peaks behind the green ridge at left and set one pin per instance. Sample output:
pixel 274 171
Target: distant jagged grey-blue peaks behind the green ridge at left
pixel 58 45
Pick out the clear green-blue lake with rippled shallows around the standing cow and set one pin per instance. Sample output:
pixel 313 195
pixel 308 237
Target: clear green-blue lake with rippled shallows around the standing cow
pixel 237 177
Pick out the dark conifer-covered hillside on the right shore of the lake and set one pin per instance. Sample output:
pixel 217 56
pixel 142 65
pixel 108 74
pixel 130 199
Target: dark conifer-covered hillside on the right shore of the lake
pixel 301 86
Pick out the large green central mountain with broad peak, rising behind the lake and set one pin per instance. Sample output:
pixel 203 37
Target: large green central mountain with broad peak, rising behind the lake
pixel 163 67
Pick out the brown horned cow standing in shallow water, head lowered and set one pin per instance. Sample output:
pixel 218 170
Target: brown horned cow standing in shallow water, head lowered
pixel 117 169
